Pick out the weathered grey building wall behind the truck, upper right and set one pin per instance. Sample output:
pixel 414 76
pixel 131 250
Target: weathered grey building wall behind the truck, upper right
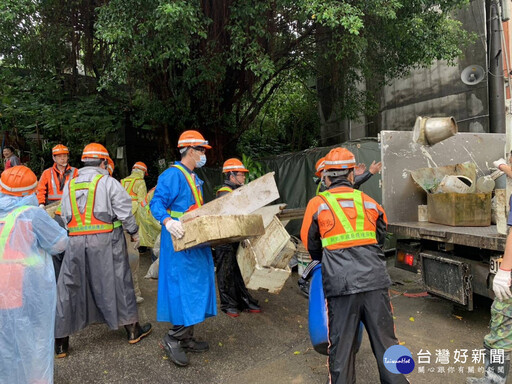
pixel 439 90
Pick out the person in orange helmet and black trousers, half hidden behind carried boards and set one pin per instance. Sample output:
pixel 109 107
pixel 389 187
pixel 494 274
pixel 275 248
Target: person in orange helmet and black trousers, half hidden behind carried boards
pixel 233 293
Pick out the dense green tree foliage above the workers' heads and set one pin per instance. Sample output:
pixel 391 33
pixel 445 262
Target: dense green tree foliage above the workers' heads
pixel 233 69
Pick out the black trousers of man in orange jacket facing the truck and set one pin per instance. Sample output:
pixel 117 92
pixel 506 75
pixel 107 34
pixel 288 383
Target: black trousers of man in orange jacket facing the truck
pixel 373 308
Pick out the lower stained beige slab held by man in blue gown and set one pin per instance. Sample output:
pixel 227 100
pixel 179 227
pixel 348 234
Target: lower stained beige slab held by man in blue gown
pixel 215 230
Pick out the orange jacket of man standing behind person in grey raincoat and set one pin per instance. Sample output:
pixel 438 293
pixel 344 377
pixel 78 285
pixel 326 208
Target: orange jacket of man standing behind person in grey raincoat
pixel 52 182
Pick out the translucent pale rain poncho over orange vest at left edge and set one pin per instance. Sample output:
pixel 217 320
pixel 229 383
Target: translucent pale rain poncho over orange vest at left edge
pixel 27 290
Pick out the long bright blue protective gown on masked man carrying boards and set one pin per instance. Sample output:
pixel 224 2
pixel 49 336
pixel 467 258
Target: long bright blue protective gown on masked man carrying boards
pixel 186 280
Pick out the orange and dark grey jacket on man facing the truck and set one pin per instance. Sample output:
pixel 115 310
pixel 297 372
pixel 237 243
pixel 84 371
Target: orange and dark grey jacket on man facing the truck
pixel 351 266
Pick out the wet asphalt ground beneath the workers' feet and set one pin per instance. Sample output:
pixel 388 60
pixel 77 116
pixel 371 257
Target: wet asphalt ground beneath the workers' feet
pixel 273 347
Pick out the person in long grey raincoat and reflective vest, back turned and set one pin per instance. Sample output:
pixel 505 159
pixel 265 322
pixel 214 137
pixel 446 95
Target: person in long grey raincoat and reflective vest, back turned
pixel 95 284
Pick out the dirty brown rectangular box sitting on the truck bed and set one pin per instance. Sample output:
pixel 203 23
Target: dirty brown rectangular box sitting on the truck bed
pixel 460 209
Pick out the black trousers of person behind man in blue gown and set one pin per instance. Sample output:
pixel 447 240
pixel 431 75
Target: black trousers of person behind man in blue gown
pixel 232 290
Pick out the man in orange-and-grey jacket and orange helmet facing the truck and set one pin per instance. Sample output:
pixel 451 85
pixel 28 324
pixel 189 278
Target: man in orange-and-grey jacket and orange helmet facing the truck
pixel 345 229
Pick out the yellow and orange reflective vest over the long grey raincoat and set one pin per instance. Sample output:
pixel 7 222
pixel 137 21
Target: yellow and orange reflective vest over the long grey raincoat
pixel 83 222
